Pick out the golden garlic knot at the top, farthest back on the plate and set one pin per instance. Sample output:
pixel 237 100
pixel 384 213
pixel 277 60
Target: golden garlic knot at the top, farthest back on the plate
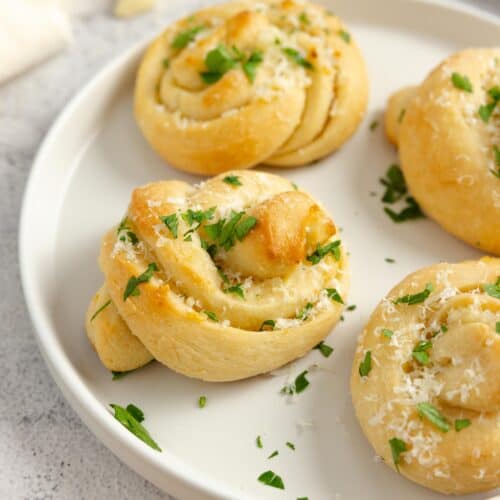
pixel 278 81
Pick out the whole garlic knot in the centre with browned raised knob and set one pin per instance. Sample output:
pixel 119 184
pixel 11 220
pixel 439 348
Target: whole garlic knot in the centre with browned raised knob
pixel 221 281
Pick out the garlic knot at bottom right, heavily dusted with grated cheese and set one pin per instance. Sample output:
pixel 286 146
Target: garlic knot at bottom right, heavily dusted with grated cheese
pixel 426 377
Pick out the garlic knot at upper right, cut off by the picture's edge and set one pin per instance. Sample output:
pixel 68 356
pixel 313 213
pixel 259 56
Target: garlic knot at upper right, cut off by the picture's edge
pixel 448 133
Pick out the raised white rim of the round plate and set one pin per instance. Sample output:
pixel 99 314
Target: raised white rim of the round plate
pixel 146 462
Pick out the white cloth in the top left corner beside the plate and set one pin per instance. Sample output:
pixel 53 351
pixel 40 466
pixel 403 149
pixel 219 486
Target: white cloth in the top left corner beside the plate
pixel 30 31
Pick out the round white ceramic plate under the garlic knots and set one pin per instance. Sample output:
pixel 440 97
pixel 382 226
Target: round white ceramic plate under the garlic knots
pixel 80 186
